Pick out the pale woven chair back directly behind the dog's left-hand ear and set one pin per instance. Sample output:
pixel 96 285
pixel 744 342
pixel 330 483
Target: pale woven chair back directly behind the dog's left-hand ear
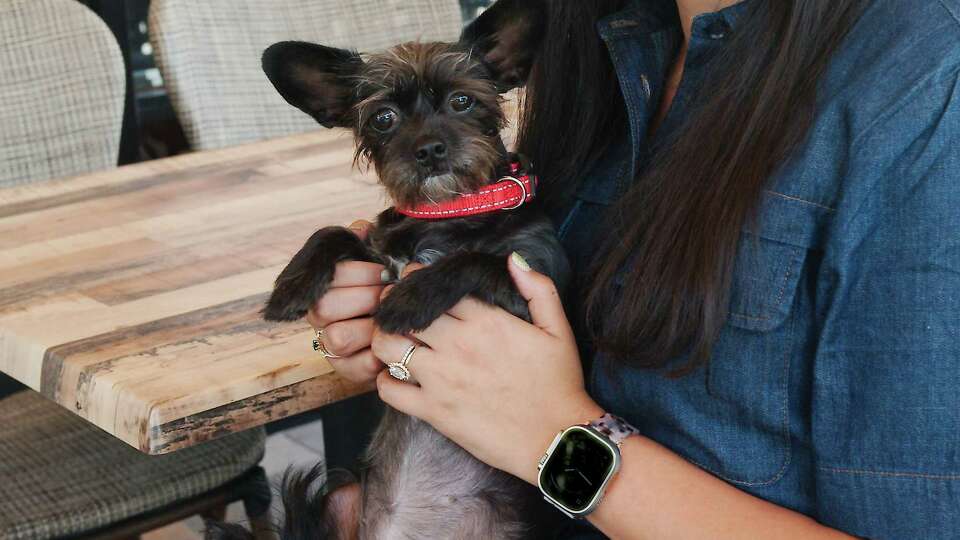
pixel 209 54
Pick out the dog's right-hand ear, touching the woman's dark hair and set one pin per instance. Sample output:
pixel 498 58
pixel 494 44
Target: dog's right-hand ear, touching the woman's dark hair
pixel 508 35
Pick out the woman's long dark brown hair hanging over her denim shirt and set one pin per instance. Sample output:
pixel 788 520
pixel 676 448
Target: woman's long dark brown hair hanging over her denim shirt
pixel 678 228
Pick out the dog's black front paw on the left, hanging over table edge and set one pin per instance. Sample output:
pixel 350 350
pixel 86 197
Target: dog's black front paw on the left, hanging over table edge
pixel 309 274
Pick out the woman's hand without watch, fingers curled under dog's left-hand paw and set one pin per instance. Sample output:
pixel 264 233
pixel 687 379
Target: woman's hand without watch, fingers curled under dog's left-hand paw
pixel 344 311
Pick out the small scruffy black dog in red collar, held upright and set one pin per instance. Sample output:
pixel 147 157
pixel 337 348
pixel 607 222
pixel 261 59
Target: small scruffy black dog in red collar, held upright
pixel 428 116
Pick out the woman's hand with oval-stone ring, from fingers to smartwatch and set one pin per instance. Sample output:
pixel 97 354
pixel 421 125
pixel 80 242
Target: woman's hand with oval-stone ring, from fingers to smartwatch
pixel 496 385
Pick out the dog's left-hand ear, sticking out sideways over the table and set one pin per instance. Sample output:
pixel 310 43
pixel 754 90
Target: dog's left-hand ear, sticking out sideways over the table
pixel 317 80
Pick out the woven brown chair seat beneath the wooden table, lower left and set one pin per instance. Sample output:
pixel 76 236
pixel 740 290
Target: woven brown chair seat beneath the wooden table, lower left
pixel 64 478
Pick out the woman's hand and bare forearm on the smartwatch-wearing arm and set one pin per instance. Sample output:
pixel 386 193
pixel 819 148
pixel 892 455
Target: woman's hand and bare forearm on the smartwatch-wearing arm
pixel 502 389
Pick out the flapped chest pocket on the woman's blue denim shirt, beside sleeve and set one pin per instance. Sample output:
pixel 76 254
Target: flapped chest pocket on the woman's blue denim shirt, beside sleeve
pixel 770 316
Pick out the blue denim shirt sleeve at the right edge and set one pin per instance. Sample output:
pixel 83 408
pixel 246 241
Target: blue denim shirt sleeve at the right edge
pixel 886 398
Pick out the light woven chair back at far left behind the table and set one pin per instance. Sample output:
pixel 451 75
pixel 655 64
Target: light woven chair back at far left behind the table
pixel 62 89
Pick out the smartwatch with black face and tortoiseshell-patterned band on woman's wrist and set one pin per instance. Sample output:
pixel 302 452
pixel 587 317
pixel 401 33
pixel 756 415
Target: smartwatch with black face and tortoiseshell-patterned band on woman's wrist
pixel 580 462
